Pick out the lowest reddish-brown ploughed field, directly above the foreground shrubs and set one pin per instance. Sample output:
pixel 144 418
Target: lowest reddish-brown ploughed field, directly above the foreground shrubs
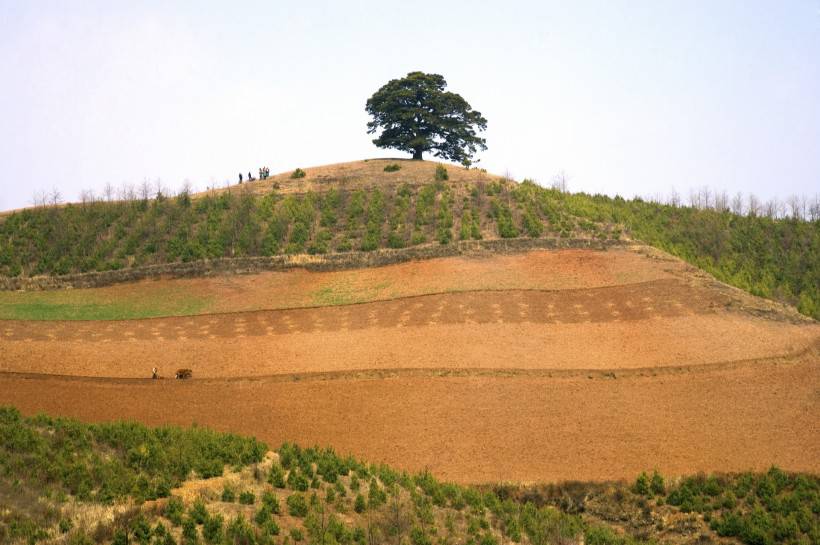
pixel 479 429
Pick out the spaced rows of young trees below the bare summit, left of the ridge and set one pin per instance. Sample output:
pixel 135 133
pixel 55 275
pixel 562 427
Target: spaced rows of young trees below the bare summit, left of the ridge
pixel 104 235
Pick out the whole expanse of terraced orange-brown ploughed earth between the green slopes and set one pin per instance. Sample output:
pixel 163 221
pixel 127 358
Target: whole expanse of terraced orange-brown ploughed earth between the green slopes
pixel 611 363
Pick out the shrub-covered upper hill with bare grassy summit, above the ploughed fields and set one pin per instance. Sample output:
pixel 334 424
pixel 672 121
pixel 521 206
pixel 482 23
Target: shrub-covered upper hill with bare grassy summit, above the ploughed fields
pixel 362 207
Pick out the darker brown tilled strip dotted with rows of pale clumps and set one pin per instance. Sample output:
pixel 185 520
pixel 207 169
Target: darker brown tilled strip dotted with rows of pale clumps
pixel 661 298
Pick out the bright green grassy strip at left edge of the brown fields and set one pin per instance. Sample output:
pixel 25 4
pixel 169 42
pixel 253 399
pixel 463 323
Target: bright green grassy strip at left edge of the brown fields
pixel 92 305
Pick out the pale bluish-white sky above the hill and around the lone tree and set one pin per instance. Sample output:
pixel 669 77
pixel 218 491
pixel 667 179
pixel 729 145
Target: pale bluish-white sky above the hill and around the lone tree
pixel 625 97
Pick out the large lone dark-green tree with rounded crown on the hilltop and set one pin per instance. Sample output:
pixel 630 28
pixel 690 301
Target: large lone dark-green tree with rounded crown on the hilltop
pixel 416 115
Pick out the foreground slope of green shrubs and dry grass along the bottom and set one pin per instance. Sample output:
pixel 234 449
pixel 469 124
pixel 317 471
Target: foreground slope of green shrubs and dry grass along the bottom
pixel 55 472
